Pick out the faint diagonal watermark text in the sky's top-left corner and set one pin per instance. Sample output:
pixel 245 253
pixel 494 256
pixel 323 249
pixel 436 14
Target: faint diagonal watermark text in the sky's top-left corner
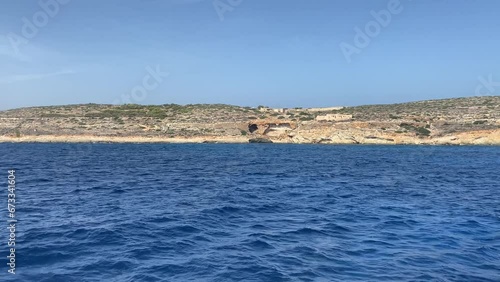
pixel 32 26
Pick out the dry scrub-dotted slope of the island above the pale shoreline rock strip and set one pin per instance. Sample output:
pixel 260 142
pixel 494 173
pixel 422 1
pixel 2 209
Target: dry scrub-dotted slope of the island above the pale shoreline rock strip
pixel 420 119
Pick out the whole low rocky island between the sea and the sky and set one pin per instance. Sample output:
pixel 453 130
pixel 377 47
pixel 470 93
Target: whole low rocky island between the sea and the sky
pixel 459 121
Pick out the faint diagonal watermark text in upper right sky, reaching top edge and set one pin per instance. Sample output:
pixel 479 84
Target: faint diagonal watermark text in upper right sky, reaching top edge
pixel 372 29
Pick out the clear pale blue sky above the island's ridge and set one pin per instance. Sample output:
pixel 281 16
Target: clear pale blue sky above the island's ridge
pixel 281 53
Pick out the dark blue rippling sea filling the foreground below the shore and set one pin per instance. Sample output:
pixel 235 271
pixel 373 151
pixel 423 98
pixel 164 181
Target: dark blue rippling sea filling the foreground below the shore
pixel 134 212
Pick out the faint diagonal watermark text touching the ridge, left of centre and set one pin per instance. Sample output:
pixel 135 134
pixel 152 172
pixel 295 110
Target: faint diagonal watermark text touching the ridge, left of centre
pixel 150 82
